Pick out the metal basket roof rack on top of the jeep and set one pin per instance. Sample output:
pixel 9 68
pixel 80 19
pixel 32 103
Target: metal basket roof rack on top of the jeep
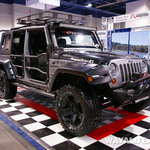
pixel 52 16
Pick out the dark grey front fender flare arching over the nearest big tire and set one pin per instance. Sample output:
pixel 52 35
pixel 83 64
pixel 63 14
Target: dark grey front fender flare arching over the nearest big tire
pixel 83 71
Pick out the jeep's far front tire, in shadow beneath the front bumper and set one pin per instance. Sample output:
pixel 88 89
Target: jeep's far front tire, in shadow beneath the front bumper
pixel 137 107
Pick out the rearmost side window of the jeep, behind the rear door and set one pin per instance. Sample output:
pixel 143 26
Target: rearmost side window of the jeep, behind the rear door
pixel 6 42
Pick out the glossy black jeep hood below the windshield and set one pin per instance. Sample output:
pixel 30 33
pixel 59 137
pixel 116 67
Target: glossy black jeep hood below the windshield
pixel 98 57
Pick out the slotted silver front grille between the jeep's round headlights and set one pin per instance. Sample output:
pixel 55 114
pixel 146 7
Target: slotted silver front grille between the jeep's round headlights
pixel 128 69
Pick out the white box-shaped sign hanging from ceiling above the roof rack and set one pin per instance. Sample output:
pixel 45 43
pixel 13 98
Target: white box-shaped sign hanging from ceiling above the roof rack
pixel 43 4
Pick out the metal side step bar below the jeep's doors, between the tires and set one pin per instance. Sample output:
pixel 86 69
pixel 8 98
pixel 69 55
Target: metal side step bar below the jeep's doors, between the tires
pixel 35 90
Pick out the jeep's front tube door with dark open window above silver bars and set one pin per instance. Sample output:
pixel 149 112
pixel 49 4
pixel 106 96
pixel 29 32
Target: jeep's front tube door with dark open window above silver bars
pixel 36 57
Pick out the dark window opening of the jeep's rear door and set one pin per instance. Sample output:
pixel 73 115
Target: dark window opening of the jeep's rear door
pixel 18 42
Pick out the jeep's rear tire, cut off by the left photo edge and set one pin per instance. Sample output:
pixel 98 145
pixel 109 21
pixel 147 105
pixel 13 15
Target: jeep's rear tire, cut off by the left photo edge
pixel 7 90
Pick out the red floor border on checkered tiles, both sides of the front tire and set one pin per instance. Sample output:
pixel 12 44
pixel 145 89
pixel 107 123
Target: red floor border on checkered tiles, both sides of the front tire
pixel 131 118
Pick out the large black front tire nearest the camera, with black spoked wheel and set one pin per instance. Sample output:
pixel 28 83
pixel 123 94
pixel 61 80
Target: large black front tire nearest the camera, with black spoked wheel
pixel 79 112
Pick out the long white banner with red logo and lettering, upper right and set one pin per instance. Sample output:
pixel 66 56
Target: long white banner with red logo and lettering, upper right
pixel 131 17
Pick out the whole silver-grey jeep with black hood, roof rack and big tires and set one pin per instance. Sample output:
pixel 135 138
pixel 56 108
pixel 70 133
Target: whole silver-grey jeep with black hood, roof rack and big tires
pixel 67 62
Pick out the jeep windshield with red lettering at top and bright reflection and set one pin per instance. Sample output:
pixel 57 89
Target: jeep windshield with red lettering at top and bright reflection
pixel 75 38
